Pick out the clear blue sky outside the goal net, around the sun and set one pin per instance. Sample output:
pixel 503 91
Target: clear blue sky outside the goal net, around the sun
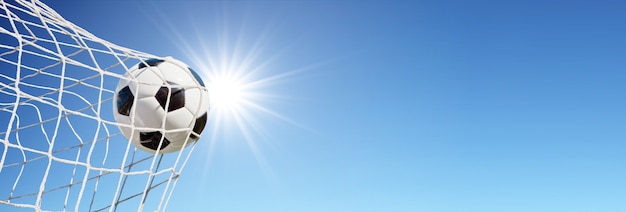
pixel 395 105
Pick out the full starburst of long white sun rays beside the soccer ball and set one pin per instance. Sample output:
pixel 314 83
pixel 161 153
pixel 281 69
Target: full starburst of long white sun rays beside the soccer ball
pixel 246 75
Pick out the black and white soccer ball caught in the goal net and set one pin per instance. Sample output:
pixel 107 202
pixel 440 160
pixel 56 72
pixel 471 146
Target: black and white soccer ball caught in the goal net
pixel 165 102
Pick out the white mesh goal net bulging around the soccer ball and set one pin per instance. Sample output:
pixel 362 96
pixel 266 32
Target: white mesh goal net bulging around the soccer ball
pixel 60 148
